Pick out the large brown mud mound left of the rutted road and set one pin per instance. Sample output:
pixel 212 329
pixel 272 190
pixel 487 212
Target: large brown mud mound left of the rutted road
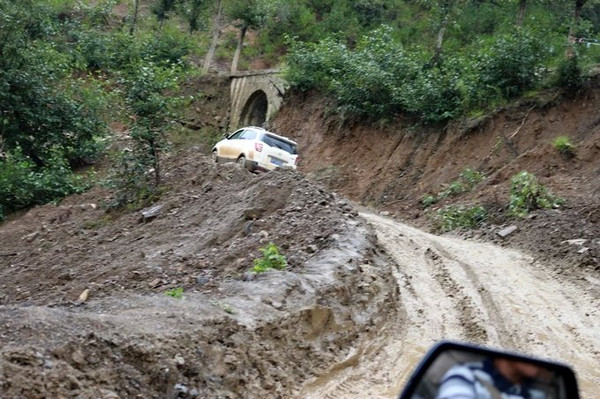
pixel 83 307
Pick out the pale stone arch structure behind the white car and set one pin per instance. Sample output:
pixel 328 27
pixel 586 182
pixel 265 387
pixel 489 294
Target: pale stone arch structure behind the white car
pixel 255 97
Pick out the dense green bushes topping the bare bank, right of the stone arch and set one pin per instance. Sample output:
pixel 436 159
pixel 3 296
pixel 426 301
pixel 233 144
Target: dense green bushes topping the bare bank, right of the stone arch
pixel 379 77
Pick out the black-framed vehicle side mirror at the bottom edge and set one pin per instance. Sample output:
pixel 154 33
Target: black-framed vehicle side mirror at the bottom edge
pixel 454 370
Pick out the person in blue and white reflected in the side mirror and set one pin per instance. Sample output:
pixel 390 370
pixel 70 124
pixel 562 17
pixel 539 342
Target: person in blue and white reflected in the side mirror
pixel 491 379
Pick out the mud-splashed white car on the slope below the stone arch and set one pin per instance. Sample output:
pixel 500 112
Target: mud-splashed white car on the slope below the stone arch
pixel 256 149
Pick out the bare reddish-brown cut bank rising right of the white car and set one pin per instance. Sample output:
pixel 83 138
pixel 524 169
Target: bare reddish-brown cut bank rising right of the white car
pixel 392 167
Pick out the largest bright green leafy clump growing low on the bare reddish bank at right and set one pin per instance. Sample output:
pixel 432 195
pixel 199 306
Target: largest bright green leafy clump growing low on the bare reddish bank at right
pixel 527 194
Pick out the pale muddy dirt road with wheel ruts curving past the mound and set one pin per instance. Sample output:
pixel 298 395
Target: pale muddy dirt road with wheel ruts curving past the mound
pixel 469 291
